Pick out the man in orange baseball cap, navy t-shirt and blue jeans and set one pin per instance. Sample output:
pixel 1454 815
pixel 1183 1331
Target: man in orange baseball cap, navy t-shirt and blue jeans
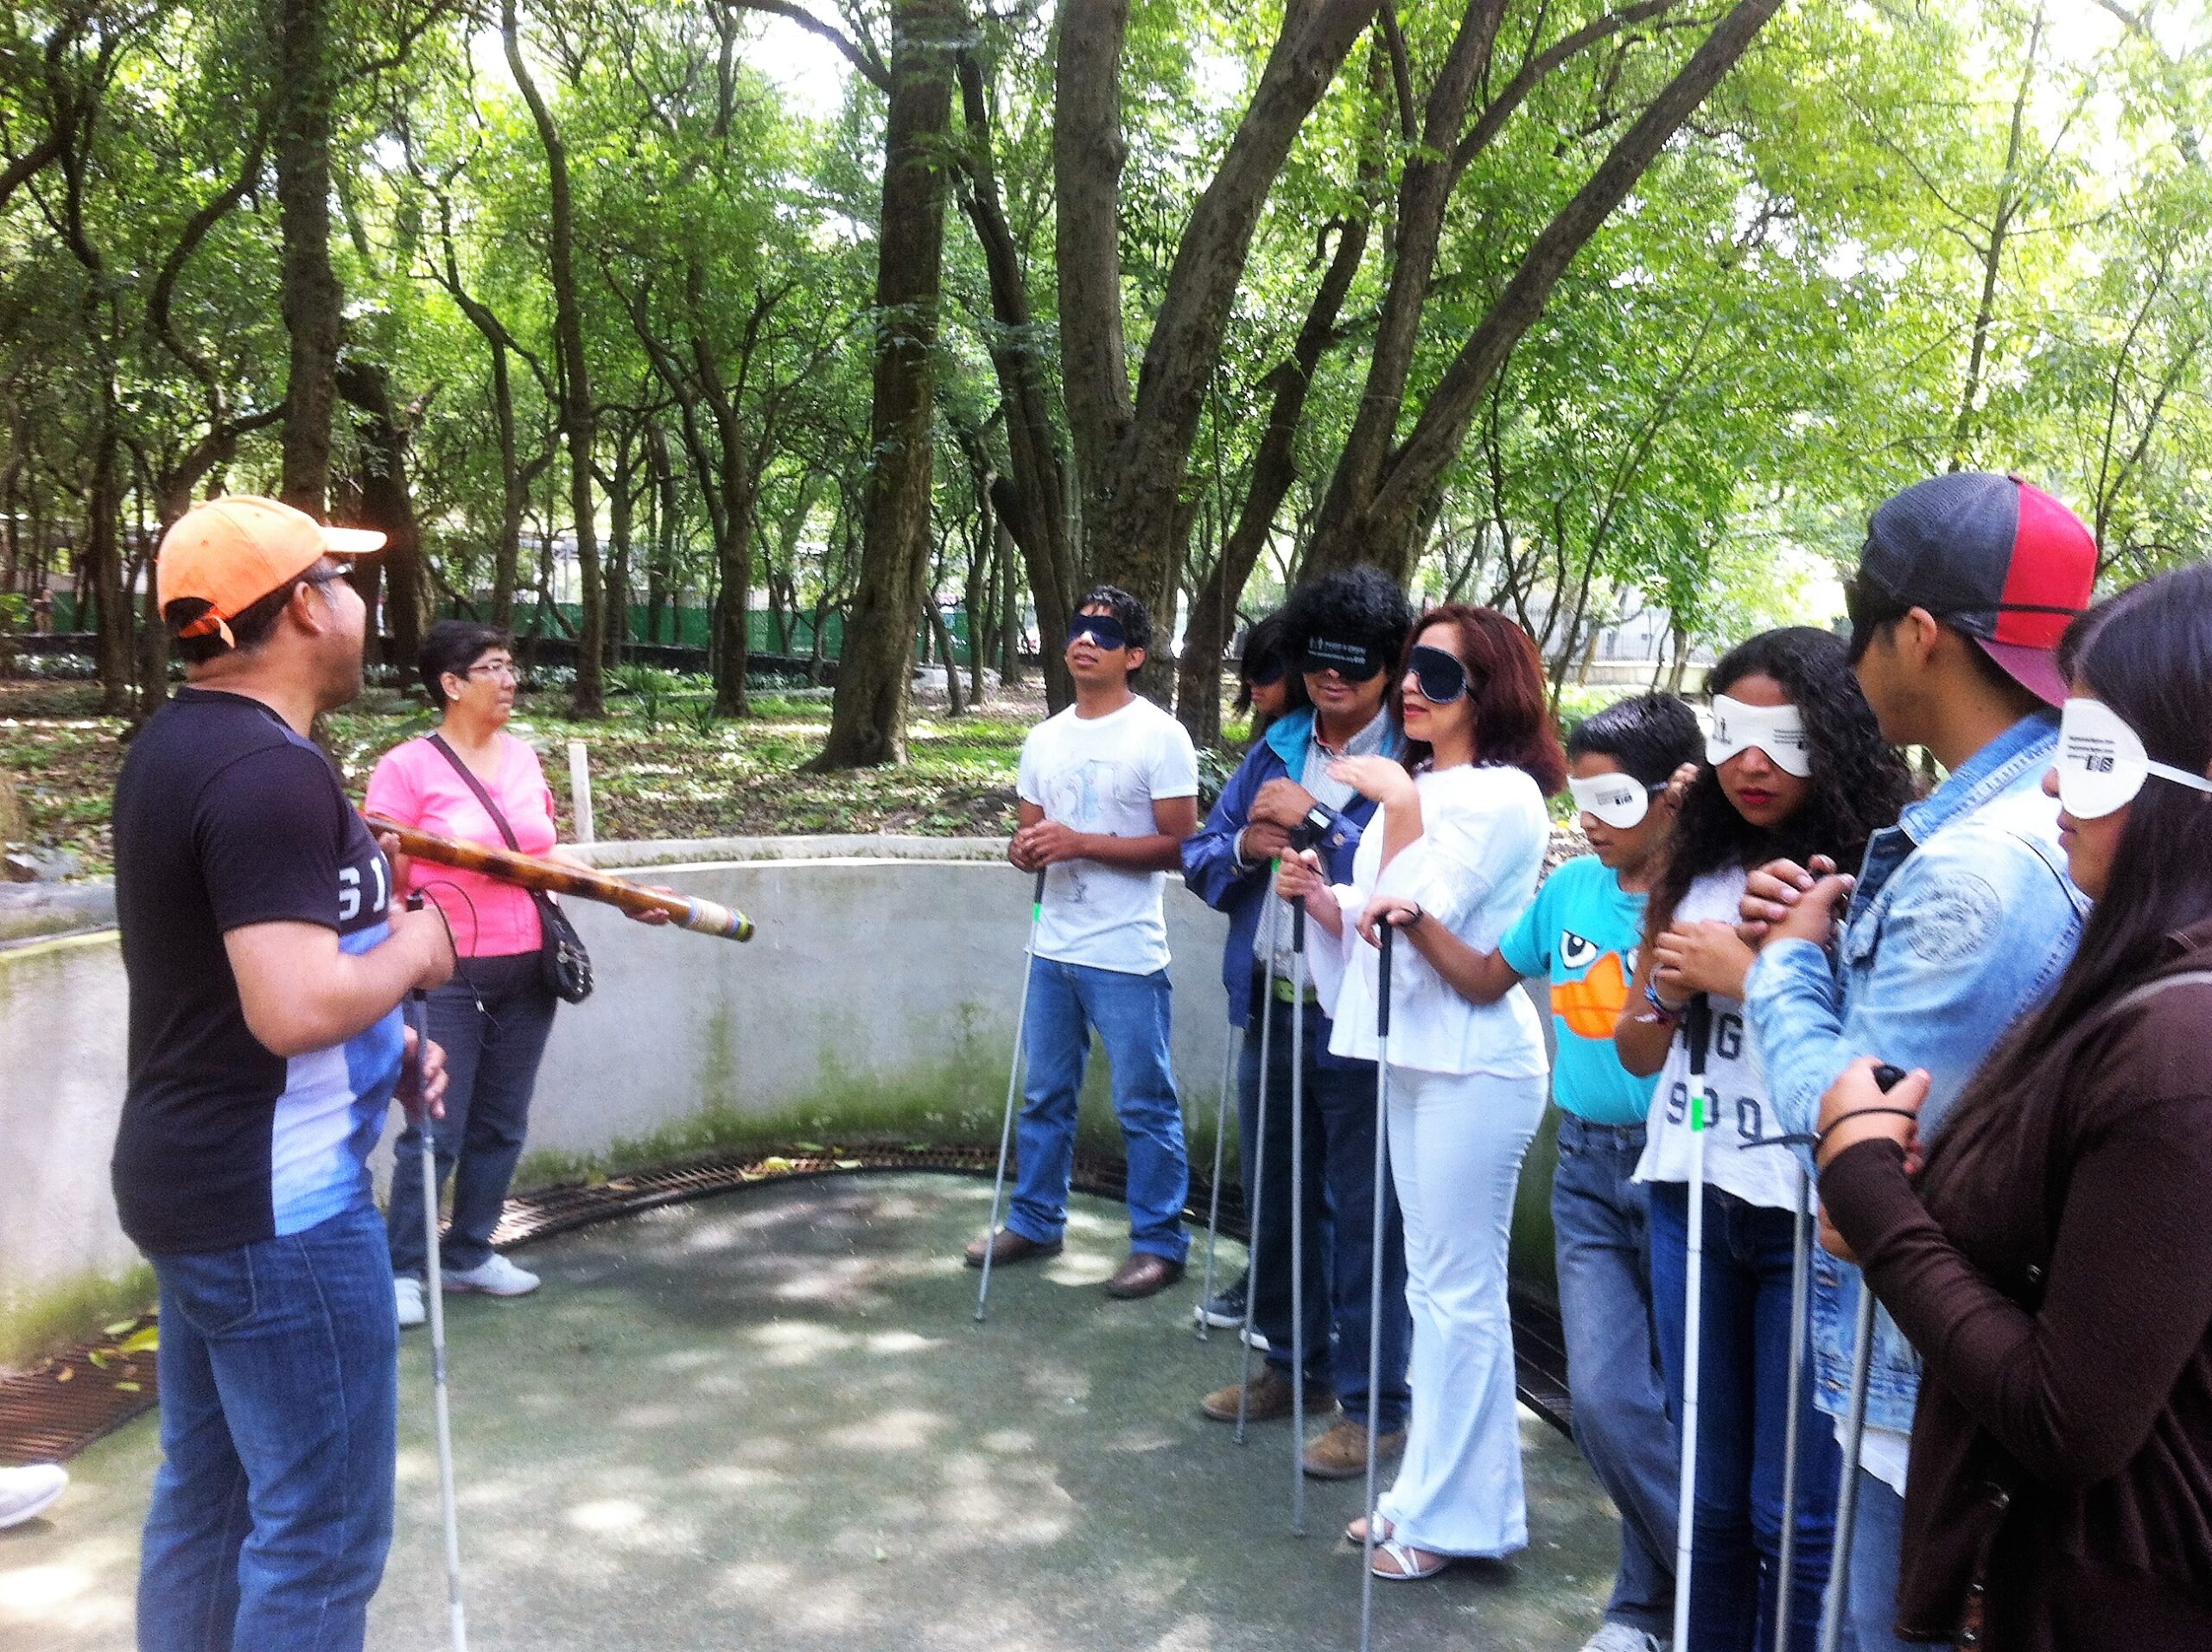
pixel 267 968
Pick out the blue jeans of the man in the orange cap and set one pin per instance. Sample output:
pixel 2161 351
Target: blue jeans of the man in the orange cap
pixel 280 1430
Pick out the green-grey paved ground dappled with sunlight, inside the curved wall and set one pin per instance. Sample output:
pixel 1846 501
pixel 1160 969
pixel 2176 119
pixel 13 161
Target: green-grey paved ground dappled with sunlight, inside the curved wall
pixel 771 1421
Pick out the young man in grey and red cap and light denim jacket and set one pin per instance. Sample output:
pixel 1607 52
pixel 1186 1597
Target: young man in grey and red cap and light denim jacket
pixel 1961 917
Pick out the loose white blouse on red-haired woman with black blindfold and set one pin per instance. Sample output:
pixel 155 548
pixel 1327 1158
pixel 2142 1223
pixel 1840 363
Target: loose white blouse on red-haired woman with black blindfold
pixel 1472 870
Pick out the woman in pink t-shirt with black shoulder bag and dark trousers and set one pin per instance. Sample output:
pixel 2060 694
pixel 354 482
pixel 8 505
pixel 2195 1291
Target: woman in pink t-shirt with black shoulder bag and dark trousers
pixel 497 1012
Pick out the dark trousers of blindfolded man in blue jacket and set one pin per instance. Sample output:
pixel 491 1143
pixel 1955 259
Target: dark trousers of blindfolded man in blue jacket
pixel 1339 1220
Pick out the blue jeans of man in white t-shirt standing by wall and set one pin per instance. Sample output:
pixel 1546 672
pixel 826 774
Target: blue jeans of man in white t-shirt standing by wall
pixel 1131 1018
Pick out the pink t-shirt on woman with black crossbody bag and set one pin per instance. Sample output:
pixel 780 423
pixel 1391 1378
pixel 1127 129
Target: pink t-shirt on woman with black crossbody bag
pixel 417 786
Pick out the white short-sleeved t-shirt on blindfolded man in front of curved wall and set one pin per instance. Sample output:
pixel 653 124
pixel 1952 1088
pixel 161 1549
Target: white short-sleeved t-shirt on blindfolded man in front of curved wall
pixel 1103 775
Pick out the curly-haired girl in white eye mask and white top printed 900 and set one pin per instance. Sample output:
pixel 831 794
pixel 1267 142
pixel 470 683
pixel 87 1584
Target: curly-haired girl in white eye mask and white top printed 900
pixel 1795 766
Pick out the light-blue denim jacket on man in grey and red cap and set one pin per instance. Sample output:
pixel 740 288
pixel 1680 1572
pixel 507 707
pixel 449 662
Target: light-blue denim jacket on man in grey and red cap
pixel 1963 919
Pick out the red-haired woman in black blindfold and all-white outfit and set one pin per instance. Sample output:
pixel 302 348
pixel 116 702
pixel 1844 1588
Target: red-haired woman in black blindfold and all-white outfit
pixel 1457 850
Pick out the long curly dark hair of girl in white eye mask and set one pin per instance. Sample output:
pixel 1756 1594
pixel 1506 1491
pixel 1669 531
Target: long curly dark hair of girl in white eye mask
pixel 1859 782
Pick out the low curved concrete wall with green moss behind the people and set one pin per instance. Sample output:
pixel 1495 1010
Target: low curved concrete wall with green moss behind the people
pixel 877 1001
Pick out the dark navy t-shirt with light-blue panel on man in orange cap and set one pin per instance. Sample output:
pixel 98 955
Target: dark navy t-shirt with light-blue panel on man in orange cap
pixel 225 819
